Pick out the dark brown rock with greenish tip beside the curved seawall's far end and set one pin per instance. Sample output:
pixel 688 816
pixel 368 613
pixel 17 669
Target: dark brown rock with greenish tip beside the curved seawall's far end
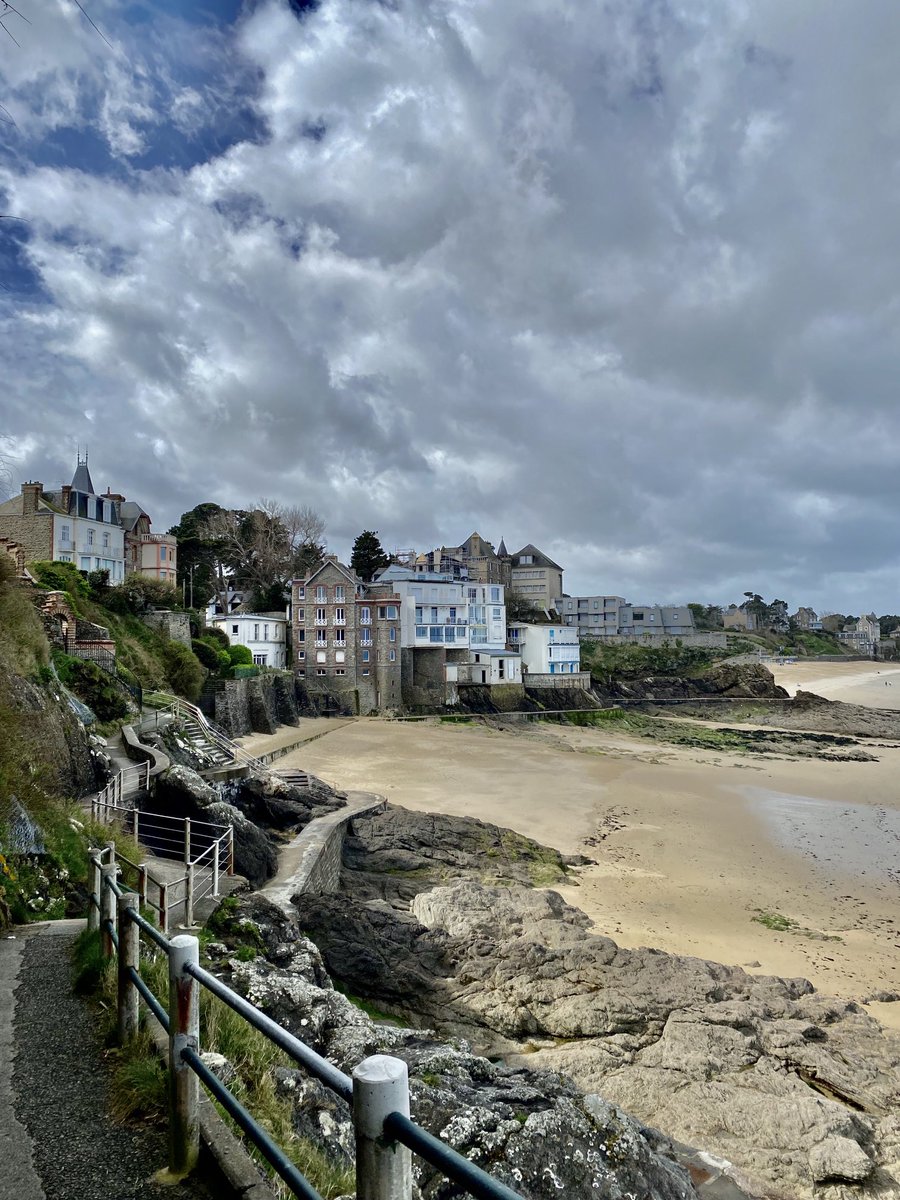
pixel 398 854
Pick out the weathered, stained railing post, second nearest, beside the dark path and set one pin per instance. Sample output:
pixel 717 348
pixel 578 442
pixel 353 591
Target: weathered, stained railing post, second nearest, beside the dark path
pixel 184 1034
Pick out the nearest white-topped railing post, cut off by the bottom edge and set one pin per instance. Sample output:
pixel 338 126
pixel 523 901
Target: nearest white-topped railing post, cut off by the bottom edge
pixel 385 1169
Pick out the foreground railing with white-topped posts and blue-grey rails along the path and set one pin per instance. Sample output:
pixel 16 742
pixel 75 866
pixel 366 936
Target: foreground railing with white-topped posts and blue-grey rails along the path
pixel 379 1093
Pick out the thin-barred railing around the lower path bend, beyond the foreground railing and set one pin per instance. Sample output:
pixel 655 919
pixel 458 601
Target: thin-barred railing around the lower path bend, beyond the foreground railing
pixel 206 849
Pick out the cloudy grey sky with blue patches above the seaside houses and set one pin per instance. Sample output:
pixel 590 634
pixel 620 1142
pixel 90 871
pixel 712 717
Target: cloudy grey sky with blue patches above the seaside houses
pixel 615 278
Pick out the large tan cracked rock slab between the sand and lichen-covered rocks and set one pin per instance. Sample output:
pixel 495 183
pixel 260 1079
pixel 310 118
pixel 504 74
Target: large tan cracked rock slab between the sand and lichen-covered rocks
pixel 760 1071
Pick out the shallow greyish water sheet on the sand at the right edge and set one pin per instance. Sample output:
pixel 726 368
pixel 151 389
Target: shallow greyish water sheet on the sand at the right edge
pixel 860 841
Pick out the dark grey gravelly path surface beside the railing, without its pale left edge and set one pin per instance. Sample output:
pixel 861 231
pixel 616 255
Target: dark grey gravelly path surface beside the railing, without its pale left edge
pixel 61 1084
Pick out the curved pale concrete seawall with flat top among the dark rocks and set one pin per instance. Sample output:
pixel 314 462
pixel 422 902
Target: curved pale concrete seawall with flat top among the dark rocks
pixel 313 861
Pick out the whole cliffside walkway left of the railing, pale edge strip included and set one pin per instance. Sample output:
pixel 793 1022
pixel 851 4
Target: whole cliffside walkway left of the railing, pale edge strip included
pixel 57 1139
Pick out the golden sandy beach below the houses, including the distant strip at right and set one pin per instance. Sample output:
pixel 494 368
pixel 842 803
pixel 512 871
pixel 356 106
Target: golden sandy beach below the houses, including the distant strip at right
pixel 689 847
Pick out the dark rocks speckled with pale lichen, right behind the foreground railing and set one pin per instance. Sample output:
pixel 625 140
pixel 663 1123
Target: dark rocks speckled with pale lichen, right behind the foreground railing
pixel 532 1130
